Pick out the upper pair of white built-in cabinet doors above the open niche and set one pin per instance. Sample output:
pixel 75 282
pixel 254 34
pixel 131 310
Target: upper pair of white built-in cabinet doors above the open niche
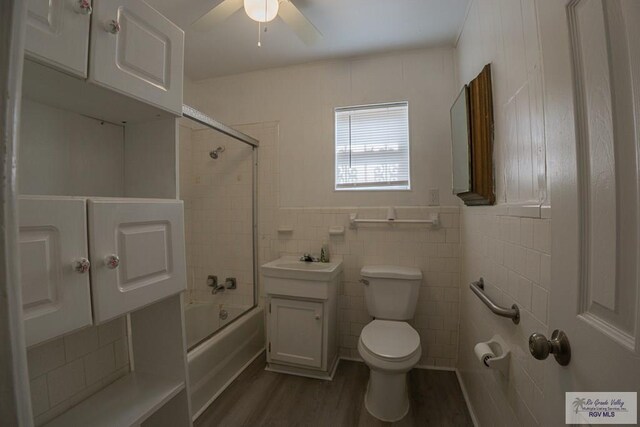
pixel 134 50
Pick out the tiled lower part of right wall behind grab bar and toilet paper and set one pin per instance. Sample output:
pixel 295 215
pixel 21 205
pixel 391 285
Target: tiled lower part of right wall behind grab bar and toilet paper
pixel 513 256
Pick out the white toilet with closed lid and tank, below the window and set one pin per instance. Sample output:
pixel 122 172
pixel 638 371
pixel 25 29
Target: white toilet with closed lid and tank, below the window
pixel 389 345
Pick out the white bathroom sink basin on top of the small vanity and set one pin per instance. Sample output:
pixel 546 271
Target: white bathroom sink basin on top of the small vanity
pixel 289 267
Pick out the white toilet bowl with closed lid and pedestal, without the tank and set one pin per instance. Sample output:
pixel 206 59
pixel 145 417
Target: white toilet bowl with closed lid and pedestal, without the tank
pixel 390 349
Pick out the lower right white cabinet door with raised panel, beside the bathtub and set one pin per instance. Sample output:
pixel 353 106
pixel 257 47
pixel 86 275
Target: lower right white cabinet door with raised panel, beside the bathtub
pixel 137 252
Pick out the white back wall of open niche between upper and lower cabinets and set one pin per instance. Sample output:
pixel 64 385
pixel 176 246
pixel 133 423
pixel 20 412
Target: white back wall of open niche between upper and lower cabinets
pixel 64 153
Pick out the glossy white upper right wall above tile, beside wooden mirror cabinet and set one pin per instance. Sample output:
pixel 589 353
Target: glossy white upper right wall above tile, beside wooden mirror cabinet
pixel 505 34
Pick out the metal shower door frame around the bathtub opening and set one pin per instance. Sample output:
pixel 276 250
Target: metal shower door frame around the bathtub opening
pixel 201 118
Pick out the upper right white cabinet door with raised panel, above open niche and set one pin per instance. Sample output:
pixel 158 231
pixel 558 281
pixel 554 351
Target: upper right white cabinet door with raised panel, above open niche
pixel 137 51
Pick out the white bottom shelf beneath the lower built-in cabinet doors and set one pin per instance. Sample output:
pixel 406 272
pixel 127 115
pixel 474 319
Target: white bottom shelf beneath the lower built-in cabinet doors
pixel 127 402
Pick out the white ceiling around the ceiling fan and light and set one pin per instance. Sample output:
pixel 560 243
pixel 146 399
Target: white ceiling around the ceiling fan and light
pixel 350 28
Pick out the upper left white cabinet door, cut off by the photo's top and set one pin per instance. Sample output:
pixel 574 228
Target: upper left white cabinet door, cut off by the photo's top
pixel 58 34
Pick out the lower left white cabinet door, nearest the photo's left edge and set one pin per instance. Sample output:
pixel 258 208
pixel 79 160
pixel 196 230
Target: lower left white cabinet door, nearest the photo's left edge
pixel 52 239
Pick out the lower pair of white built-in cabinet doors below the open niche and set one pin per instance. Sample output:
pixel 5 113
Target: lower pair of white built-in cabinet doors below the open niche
pixel 137 258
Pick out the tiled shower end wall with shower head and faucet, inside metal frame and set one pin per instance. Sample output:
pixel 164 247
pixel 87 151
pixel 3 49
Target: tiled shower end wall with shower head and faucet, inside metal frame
pixel 218 214
